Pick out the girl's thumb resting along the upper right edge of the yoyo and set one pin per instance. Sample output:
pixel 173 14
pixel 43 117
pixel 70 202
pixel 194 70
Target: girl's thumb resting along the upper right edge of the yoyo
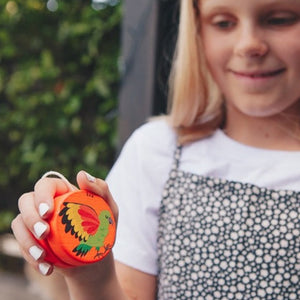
pixel 98 187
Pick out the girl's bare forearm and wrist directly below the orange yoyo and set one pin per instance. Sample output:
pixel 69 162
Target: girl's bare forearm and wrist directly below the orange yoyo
pixel 96 282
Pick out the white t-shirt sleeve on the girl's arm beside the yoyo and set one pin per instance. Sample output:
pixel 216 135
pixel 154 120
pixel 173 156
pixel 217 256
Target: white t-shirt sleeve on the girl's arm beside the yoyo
pixel 136 182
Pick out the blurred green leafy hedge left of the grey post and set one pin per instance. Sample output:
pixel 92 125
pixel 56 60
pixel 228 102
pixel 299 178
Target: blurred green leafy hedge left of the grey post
pixel 58 91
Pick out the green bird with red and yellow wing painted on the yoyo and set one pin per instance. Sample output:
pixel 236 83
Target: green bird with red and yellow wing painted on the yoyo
pixel 90 229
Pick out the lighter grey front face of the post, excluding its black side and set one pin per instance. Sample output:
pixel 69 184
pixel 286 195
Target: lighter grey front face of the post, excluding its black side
pixel 138 64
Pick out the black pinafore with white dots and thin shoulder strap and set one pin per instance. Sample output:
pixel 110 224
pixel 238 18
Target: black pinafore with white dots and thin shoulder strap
pixel 221 239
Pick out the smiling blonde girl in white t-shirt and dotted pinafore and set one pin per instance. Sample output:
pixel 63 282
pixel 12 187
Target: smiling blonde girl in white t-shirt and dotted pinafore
pixel 209 196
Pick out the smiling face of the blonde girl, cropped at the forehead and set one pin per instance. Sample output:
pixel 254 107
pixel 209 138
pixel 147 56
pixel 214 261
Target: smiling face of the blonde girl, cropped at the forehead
pixel 253 52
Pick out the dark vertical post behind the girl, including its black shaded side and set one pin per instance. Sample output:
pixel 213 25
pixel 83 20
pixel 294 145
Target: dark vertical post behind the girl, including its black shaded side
pixel 148 35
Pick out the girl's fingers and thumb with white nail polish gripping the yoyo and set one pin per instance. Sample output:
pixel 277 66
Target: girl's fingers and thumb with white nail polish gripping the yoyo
pixel 35 207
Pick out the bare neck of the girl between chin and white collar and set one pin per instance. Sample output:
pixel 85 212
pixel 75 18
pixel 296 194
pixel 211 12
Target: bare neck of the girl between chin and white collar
pixel 280 132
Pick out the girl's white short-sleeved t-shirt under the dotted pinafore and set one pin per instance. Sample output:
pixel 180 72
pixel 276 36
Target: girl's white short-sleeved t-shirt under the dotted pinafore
pixel 138 177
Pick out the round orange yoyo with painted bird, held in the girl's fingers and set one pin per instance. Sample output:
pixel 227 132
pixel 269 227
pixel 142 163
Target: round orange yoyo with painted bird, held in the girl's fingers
pixel 82 230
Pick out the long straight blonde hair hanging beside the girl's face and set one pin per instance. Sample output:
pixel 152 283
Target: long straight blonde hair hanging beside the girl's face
pixel 195 104
